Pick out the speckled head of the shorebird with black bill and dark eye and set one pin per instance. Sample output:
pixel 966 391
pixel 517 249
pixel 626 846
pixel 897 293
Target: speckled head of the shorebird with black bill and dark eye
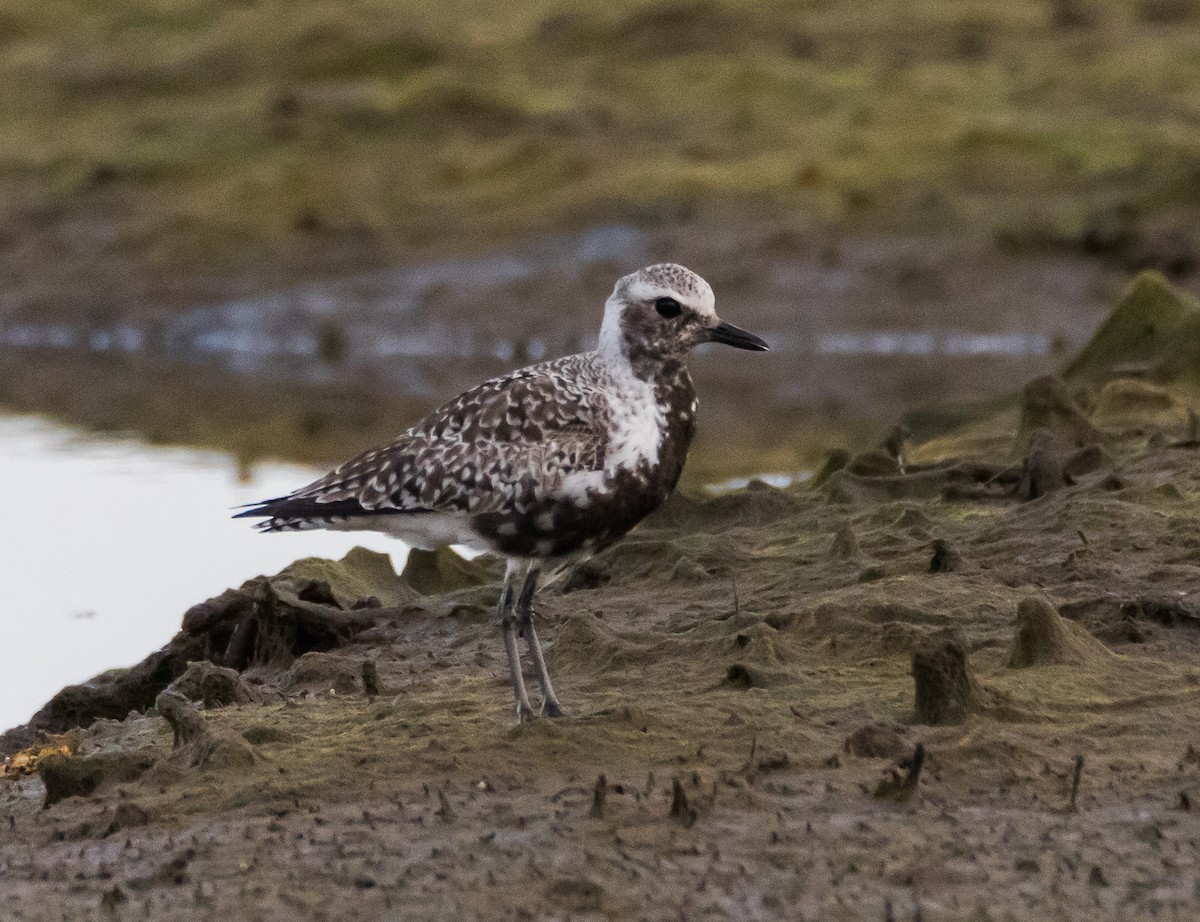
pixel 661 313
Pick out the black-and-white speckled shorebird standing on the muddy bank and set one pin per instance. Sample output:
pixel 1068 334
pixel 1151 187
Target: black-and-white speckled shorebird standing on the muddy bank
pixel 544 466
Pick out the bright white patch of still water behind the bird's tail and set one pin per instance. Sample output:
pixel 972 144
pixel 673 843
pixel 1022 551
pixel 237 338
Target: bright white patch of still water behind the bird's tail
pixel 106 543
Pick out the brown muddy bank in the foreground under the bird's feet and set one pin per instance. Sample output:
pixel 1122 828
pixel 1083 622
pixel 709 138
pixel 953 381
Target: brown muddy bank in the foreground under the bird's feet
pixel 956 678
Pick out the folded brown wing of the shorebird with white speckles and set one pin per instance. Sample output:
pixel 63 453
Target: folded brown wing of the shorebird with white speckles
pixel 500 447
